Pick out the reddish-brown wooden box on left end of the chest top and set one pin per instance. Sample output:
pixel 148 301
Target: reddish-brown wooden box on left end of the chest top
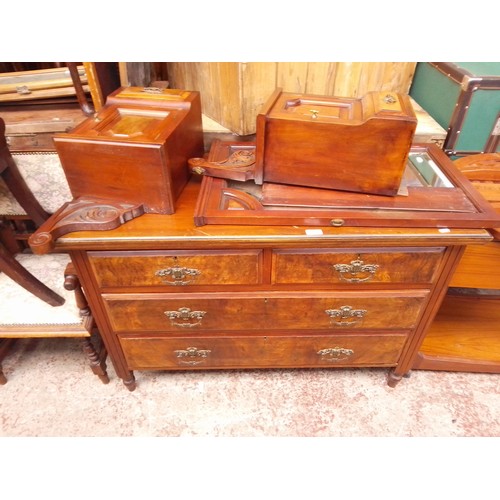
pixel 135 149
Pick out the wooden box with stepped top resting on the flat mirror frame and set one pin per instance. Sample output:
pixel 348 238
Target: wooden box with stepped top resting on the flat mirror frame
pixel 347 144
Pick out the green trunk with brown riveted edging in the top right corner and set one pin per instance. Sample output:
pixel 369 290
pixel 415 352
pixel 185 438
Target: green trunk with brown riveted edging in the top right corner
pixel 464 98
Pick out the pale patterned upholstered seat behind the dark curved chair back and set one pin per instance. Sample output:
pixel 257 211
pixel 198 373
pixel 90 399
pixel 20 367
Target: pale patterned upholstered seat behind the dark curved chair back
pixel 40 169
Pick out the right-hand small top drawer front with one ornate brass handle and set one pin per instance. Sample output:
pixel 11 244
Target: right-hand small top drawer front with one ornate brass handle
pixel 358 266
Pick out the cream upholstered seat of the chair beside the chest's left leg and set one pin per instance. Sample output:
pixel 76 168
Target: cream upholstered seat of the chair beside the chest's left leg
pixel 23 314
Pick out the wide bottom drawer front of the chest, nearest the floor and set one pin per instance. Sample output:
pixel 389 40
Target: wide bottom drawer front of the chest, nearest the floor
pixel 156 352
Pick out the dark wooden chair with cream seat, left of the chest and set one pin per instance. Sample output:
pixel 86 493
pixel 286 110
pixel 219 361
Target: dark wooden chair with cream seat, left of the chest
pixel 31 285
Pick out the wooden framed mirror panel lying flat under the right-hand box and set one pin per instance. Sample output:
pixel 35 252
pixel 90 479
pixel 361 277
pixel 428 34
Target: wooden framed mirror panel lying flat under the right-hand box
pixel 441 197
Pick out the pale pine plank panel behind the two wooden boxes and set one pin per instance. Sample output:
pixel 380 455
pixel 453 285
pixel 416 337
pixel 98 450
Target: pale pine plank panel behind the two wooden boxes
pixel 232 93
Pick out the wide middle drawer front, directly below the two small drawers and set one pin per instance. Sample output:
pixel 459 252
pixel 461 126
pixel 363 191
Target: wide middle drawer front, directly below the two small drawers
pixel 261 311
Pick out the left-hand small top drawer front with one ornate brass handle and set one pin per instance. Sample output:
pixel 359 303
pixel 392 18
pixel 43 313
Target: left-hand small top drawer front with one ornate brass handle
pixel 173 269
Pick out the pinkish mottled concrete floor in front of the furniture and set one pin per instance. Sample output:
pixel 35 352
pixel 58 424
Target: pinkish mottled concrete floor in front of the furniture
pixel 52 392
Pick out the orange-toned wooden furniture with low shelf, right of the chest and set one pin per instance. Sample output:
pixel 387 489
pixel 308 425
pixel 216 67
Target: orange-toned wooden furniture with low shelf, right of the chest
pixel 465 335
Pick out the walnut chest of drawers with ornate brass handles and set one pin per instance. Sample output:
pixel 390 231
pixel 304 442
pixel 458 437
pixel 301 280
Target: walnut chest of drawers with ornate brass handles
pixel 168 295
